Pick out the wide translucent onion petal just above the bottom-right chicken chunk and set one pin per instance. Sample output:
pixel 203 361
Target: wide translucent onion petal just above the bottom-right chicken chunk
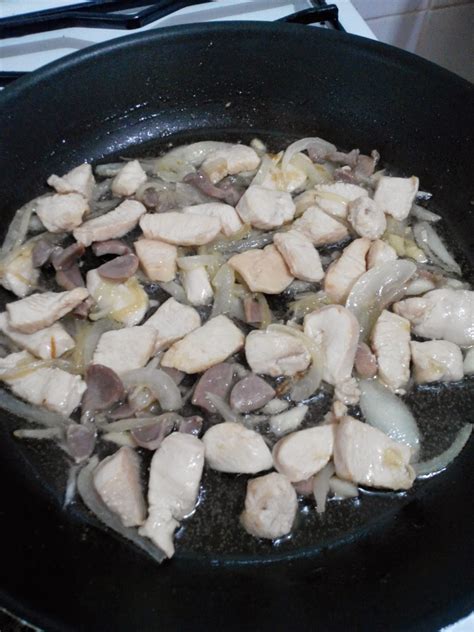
pixel 387 412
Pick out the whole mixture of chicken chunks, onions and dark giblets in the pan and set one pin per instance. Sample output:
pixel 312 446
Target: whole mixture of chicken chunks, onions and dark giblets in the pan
pixel 191 307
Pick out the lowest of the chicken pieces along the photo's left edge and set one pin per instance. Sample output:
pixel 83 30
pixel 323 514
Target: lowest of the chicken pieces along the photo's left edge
pixel 54 389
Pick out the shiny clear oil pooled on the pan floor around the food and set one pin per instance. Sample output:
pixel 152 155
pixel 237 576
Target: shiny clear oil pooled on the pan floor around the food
pixel 214 531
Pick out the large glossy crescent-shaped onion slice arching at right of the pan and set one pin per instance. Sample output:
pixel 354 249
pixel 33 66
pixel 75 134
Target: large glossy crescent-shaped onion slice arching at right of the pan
pixel 377 288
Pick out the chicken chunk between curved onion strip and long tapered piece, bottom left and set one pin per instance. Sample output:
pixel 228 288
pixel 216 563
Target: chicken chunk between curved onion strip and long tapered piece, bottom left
pixel 117 481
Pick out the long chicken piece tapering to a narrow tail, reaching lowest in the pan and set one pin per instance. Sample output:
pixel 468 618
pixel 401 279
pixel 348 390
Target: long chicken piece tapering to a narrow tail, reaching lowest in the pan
pixel 175 475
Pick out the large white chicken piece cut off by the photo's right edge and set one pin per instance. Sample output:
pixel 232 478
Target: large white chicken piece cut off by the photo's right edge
pixel 441 314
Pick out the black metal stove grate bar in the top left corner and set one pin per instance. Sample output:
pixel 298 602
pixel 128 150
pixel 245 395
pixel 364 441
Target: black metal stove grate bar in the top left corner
pixel 96 15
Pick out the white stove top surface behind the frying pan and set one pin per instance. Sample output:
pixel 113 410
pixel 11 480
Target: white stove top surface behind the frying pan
pixel 32 51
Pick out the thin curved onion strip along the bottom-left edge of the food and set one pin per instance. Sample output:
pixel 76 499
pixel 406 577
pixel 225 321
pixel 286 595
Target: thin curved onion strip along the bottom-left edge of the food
pixel 92 500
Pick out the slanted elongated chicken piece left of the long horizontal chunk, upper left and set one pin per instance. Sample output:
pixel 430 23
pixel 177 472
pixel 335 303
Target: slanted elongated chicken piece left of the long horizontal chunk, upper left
pixel 112 225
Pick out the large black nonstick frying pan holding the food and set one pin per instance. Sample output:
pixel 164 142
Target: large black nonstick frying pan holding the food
pixel 401 562
